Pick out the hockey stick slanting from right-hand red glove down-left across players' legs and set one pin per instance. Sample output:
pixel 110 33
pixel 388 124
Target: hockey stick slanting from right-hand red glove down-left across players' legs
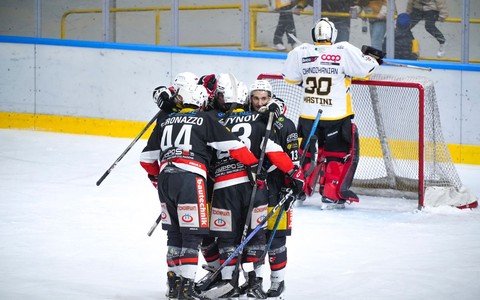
pixel 207 279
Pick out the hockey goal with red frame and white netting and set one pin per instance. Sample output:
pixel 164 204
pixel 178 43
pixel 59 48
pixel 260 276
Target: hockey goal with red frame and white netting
pixel 402 149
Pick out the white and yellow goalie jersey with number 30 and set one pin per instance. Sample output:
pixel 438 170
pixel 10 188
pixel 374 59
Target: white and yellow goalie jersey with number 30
pixel 325 72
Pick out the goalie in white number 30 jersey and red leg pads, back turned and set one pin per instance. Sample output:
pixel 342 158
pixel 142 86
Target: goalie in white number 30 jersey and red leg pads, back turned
pixel 325 70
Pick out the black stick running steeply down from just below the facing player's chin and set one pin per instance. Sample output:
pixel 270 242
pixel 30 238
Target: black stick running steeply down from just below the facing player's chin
pixel 252 198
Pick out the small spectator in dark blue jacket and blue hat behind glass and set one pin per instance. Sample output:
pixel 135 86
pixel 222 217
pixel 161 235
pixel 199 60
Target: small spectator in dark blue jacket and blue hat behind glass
pixel 406 47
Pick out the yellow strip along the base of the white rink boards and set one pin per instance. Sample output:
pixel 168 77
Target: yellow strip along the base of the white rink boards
pixel 466 154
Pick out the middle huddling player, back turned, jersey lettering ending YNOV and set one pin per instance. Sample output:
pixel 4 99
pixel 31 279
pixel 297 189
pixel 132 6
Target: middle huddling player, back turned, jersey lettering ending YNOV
pixel 232 188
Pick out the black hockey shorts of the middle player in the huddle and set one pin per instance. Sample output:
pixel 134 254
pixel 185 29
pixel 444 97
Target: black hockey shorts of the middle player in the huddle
pixel 230 208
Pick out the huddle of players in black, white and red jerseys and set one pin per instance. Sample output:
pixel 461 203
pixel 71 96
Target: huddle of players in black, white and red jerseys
pixel 205 158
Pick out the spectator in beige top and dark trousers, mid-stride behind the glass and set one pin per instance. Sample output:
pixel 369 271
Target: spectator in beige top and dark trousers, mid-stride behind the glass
pixel 431 11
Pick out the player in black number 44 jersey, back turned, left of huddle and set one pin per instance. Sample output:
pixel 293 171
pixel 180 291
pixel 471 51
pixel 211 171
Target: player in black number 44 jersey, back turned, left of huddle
pixel 177 153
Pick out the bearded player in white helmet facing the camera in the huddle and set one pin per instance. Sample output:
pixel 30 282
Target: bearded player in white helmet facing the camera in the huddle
pixel 285 134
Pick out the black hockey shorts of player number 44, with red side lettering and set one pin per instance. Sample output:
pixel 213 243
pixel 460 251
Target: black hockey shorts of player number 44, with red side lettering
pixel 183 197
